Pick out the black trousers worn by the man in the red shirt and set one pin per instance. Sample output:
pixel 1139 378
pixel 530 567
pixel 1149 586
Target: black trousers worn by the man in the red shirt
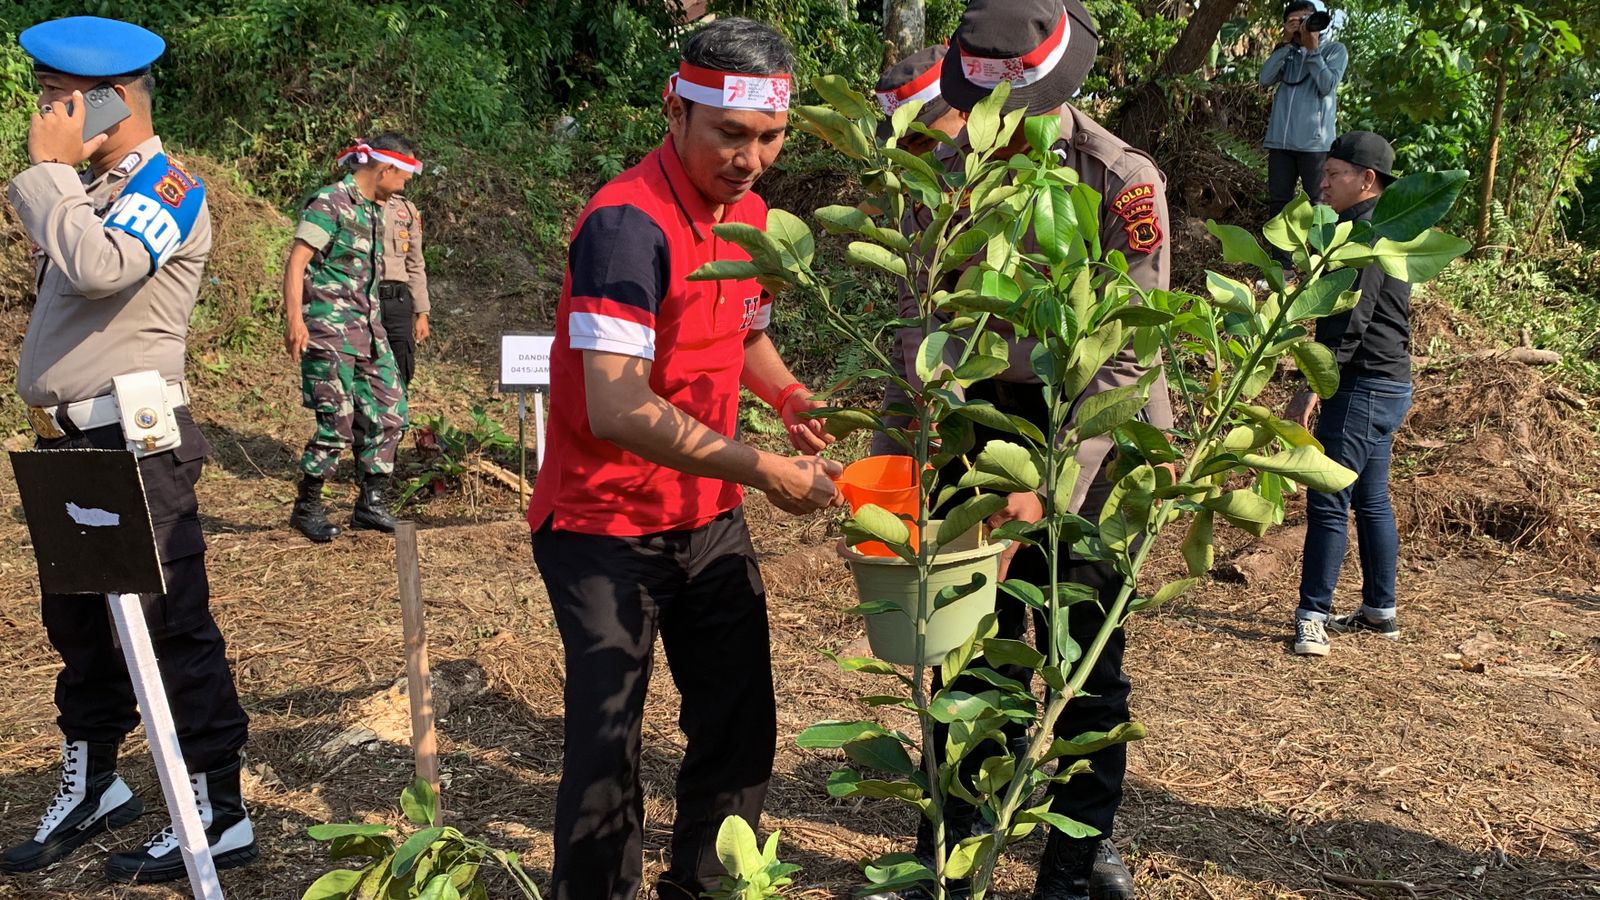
pixel 703 593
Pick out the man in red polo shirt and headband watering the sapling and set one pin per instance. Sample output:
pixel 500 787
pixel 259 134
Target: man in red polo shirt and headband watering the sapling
pixel 638 521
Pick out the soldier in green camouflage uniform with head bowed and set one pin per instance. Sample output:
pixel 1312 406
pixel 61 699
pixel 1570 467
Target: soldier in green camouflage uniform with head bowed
pixel 337 334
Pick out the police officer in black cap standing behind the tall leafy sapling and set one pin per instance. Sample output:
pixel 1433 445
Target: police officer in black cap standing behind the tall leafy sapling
pixel 1046 50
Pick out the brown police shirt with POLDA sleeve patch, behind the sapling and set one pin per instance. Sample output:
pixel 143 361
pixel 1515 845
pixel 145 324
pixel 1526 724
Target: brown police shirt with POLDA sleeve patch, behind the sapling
pixel 1135 222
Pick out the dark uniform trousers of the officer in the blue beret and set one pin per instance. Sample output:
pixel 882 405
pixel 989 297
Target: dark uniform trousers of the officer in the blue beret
pixel 94 691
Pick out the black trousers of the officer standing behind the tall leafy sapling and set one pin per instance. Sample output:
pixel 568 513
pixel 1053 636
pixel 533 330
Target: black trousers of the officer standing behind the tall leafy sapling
pixel 1095 797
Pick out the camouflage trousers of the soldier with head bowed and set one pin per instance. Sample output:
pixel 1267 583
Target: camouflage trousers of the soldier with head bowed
pixel 345 388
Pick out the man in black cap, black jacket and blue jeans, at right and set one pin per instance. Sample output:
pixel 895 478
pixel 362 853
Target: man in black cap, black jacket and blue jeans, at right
pixel 1374 347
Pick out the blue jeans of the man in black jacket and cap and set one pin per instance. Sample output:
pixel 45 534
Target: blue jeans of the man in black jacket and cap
pixel 1356 428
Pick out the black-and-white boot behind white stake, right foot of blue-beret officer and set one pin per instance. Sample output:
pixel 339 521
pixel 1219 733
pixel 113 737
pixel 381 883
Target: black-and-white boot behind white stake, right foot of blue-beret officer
pixel 226 826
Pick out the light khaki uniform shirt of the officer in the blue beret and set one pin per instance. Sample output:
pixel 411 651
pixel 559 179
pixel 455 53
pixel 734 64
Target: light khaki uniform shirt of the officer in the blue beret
pixel 102 311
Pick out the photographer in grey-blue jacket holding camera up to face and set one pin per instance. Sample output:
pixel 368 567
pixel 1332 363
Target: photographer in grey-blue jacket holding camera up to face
pixel 1308 71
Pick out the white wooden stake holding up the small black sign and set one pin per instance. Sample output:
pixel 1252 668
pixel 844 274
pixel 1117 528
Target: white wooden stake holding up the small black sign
pixel 127 613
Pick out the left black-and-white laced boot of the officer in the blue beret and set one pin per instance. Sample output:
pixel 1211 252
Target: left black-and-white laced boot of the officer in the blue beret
pixel 92 798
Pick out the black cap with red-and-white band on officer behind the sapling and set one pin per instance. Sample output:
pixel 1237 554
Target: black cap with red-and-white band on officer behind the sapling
pixel 1044 47
